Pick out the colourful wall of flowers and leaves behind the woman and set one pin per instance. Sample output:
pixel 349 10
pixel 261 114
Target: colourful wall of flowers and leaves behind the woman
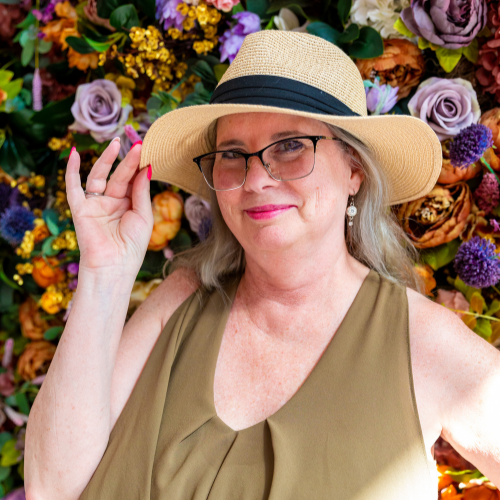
pixel 79 74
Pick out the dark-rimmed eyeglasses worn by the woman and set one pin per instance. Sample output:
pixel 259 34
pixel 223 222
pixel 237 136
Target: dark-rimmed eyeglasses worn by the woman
pixel 286 160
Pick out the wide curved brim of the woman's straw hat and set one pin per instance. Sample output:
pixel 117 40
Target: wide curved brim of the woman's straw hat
pixel 406 147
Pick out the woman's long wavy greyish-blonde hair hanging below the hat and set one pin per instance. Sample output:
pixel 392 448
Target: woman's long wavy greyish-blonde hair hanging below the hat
pixel 376 239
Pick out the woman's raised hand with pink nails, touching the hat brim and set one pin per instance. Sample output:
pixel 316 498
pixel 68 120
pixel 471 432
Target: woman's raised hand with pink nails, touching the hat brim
pixel 113 230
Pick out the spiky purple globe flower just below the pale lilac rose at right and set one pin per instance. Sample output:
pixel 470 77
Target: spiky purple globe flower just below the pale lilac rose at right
pixel 470 144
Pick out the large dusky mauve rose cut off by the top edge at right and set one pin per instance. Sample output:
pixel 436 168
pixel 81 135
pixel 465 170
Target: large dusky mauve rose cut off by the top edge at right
pixel 451 24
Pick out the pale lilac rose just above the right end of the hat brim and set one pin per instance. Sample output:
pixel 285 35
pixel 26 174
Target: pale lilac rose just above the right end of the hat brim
pixel 447 106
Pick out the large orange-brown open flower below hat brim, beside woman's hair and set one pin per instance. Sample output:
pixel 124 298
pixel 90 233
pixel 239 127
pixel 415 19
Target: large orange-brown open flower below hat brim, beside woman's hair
pixel 438 217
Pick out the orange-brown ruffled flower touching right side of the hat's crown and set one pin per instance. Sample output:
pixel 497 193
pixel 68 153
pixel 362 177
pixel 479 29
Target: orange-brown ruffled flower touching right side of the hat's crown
pixel 401 65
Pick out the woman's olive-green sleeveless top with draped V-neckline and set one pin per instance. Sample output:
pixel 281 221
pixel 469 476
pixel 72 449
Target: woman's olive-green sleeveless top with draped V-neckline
pixel 350 432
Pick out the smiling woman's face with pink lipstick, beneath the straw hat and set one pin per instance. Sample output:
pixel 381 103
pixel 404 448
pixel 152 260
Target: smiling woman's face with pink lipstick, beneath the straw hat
pixel 267 215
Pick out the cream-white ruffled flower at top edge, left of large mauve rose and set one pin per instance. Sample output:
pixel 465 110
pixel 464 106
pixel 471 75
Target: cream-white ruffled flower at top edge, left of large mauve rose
pixel 379 14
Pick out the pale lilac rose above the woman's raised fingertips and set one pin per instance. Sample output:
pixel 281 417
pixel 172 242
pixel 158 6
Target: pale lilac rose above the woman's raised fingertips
pixel 97 109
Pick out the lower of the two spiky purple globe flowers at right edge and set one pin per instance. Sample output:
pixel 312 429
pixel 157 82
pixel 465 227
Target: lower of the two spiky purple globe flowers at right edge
pixel 477 264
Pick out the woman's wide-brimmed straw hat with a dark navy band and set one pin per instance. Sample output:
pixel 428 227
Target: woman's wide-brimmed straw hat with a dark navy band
pixel 300 74
